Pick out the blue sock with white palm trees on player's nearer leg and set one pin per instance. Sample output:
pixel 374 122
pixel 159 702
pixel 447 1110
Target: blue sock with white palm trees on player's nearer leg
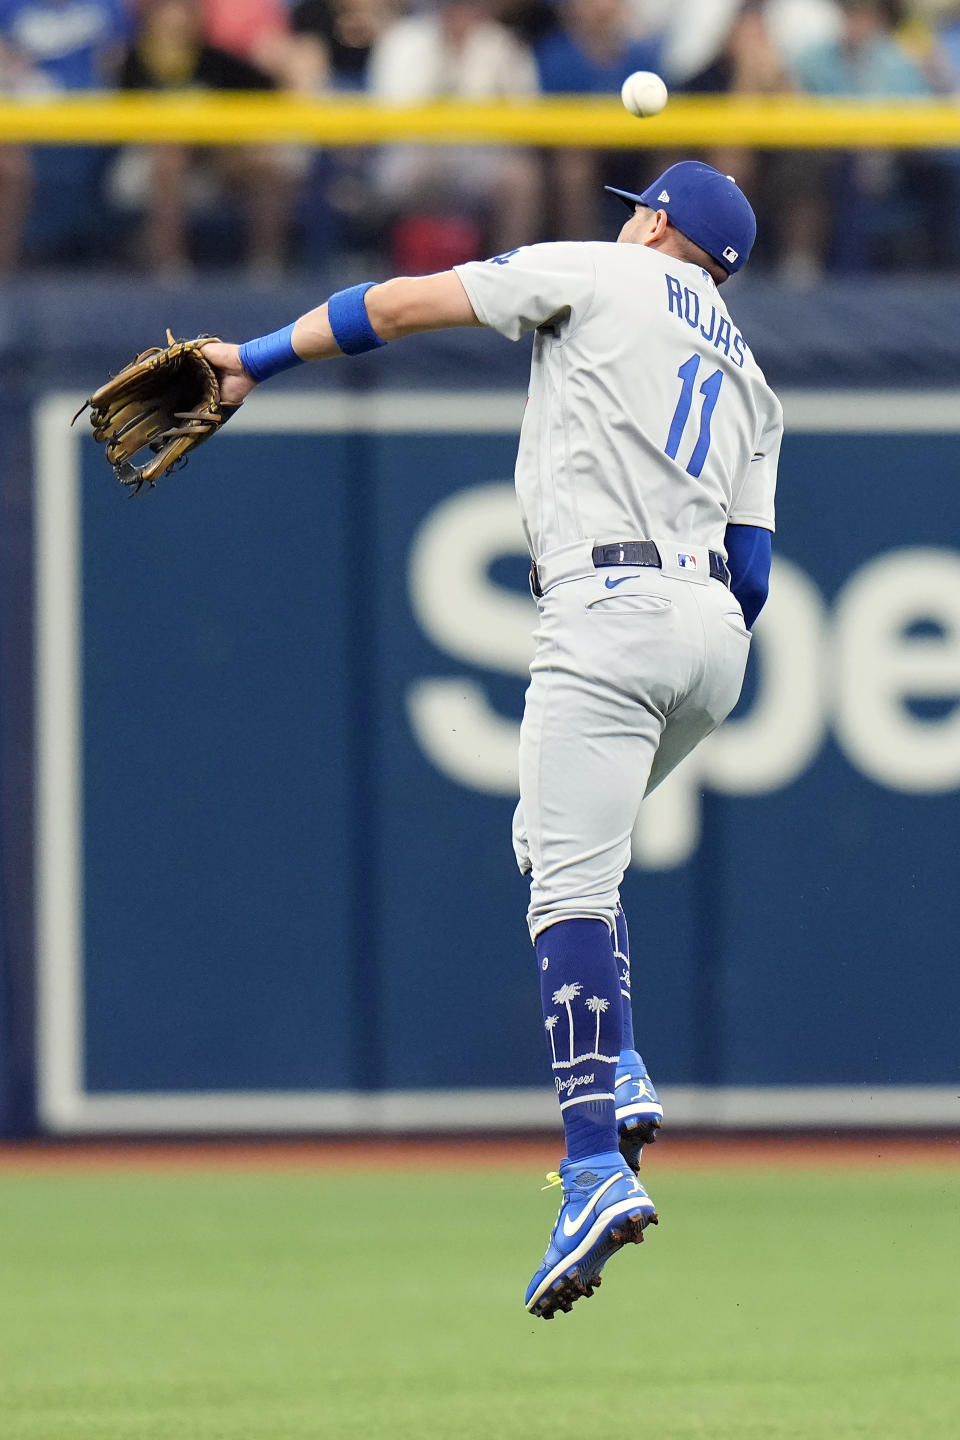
pixel 581 994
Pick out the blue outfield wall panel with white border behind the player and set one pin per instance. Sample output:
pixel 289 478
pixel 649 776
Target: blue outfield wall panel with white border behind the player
pixel 276 878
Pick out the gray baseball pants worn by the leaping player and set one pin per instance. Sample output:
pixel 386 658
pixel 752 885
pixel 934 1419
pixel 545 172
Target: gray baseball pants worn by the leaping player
pixel 633 669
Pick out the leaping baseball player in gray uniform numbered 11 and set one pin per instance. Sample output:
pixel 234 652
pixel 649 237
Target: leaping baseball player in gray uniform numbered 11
pixel 646 477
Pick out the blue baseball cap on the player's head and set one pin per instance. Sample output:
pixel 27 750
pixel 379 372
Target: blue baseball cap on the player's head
pixel 706 207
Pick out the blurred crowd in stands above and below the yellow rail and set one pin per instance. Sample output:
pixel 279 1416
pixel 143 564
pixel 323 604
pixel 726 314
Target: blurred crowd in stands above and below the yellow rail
pixel 172 210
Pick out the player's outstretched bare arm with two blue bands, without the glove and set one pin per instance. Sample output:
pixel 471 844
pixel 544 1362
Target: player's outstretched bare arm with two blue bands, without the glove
pixel 349 323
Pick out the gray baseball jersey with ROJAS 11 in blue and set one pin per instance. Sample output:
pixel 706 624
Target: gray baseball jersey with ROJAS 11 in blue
pixel 648 417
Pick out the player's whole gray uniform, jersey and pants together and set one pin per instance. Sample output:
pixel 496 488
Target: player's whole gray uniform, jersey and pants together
pixel 648 420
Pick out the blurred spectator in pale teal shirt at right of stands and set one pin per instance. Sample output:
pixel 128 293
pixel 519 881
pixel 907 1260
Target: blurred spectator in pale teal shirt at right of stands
pixel 867 208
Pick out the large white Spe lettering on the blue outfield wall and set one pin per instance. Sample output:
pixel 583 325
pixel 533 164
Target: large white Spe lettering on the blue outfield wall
pixel 892 639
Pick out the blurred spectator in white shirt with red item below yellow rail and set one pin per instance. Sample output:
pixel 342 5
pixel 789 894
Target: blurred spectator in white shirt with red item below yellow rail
pixel 448 202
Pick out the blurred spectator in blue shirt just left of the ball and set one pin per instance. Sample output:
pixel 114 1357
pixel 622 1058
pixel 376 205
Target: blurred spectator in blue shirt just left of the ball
pixel 592 54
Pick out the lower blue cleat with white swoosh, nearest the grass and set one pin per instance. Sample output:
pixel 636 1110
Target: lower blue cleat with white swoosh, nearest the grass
pixel 604 1209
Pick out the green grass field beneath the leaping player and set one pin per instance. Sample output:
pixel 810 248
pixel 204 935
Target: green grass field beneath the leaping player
pixel 794 1305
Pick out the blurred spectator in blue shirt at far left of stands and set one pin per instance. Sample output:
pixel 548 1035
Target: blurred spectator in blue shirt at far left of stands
pixel 54 45
